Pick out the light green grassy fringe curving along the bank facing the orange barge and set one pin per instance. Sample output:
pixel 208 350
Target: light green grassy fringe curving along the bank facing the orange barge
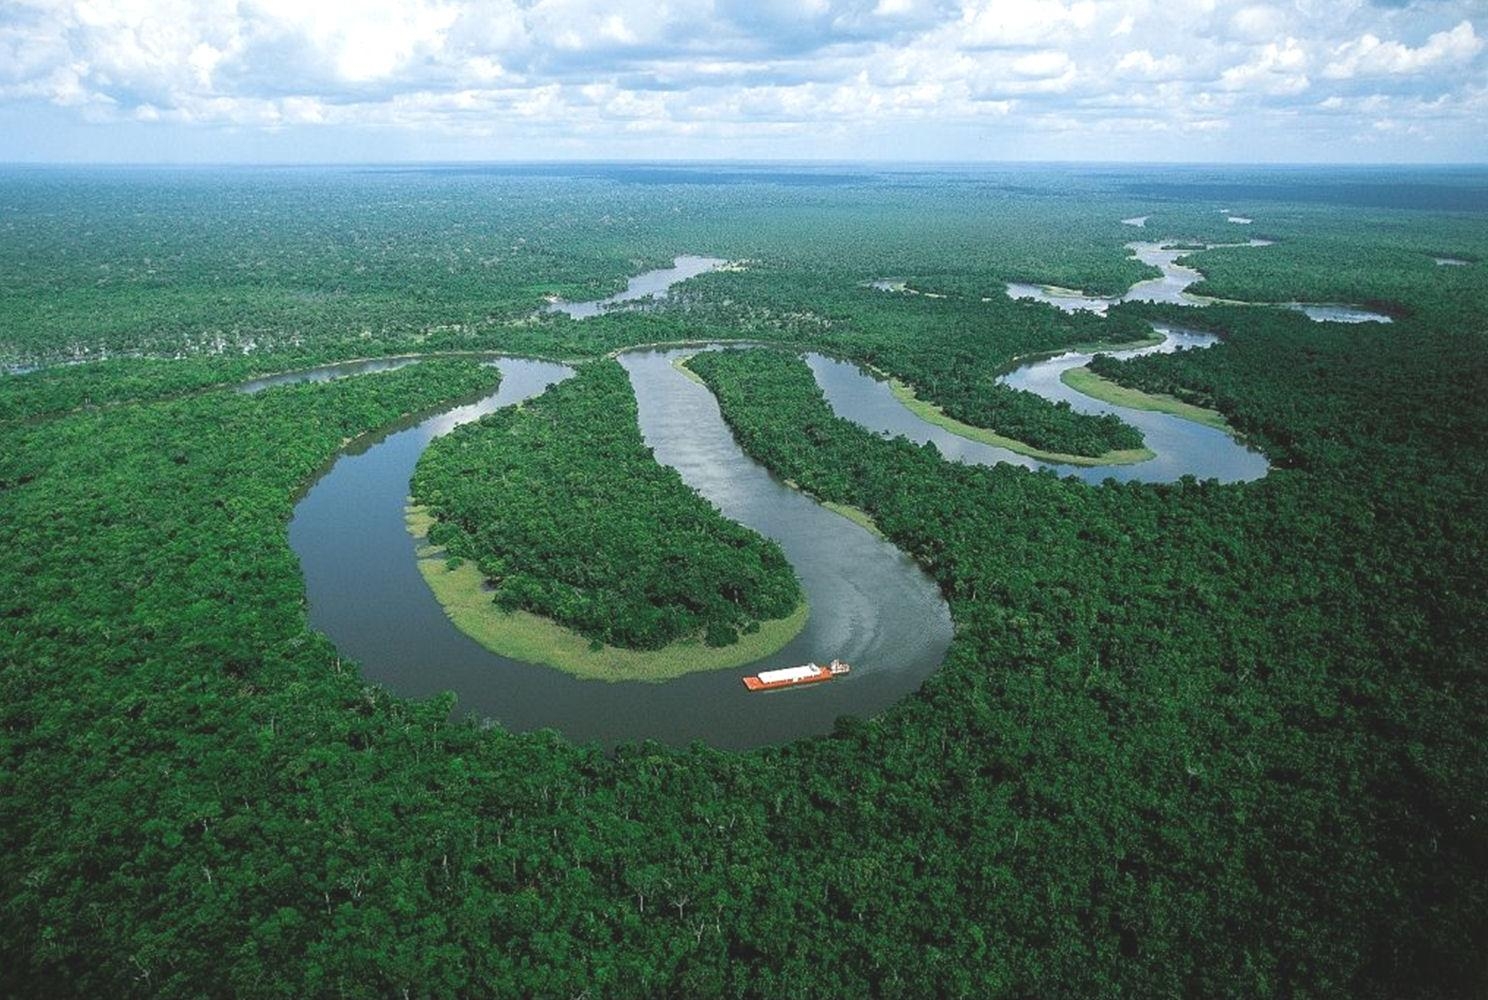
pixel 462 592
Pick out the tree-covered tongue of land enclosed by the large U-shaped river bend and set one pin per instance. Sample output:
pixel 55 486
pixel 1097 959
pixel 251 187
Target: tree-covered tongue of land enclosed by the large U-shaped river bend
pixel 566 513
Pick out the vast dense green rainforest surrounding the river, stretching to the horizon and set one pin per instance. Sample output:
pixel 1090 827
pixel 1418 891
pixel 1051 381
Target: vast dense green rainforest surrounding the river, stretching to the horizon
pixel 1190 740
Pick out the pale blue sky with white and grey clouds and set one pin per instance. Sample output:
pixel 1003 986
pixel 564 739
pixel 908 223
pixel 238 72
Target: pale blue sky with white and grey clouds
pixel 365 81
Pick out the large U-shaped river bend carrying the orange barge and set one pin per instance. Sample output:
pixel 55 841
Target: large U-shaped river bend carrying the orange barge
pixel 871 603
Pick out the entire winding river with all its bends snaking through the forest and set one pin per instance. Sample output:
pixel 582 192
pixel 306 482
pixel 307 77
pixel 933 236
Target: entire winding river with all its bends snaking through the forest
pixel 871 603
